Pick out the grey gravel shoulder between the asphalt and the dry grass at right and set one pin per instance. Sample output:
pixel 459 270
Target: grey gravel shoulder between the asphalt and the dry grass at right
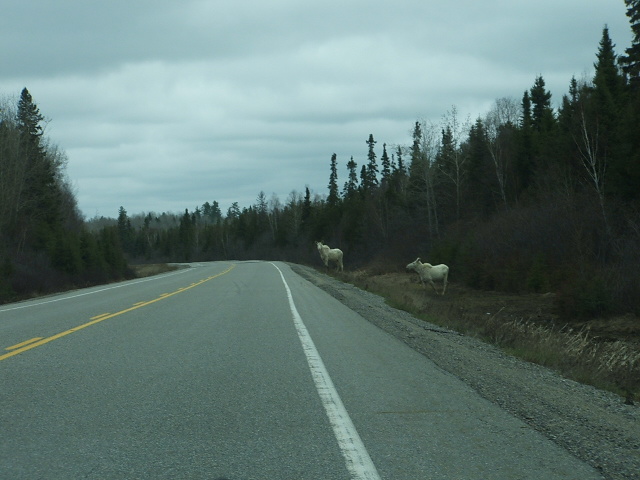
pixel 593 425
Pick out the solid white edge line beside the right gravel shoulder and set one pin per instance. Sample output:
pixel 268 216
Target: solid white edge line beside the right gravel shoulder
pixel 357 458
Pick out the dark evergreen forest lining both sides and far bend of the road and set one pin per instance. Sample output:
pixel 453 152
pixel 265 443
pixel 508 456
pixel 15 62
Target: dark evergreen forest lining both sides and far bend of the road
pixel 528 198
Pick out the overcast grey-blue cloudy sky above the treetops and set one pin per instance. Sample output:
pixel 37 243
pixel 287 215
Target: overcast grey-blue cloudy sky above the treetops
pixel 163 105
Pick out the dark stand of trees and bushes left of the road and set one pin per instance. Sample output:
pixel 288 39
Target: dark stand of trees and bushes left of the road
pixel 44 243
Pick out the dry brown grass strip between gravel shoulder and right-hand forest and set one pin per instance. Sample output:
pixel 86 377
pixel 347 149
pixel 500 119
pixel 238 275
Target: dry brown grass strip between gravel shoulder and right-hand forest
pixel 521 325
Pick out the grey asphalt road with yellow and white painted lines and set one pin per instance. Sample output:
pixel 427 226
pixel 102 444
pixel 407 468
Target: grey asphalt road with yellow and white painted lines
pixel 238 371
